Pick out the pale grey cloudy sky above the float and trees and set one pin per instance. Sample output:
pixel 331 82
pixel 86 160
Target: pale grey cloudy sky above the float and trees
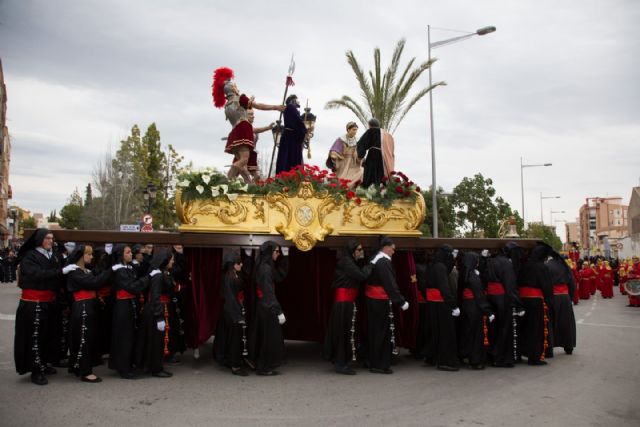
pixel 558 82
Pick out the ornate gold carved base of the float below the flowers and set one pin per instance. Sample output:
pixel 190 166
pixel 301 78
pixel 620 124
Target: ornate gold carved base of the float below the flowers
pixel 303 218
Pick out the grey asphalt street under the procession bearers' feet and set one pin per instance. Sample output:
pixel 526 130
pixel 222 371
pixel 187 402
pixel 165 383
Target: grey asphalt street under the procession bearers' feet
pixel 599 385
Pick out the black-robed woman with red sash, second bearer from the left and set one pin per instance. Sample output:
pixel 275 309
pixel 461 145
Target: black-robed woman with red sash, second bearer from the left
pixel 83 284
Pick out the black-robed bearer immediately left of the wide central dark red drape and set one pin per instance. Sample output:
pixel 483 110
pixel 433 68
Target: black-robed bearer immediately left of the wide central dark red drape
pixel 266 339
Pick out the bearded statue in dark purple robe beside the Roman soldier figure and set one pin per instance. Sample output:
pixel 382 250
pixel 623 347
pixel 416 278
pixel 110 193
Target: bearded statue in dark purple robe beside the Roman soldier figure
pixel 292 140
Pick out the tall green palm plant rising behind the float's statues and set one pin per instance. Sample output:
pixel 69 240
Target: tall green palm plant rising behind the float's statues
pixel 386 96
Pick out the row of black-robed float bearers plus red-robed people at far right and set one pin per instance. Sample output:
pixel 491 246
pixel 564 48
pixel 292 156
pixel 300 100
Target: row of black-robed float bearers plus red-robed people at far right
pixel 81 302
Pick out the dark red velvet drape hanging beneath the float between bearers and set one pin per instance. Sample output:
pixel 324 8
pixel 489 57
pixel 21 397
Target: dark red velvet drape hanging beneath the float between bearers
pixel 305 295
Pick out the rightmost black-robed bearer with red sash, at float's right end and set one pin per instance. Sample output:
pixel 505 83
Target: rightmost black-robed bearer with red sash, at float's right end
pixel 564 288
